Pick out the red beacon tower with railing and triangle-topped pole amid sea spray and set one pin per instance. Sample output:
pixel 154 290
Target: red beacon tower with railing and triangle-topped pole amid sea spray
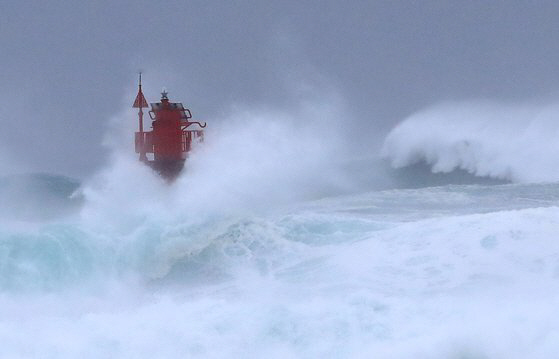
pixel 171 137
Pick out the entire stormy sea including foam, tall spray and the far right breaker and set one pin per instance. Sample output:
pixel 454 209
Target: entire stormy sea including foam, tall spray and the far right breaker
pixel 271 245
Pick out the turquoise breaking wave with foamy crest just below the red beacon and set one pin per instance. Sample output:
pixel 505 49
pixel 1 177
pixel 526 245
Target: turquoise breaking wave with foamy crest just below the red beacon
pixel 53 257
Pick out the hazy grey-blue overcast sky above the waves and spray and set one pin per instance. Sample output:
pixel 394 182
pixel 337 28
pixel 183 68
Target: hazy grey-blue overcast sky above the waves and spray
pixel 65 66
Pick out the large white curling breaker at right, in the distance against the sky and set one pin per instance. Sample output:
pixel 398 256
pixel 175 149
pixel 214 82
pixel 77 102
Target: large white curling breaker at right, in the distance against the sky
pixel 514 142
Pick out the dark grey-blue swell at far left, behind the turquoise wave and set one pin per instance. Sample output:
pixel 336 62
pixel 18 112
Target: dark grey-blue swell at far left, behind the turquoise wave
pixel 38 196
